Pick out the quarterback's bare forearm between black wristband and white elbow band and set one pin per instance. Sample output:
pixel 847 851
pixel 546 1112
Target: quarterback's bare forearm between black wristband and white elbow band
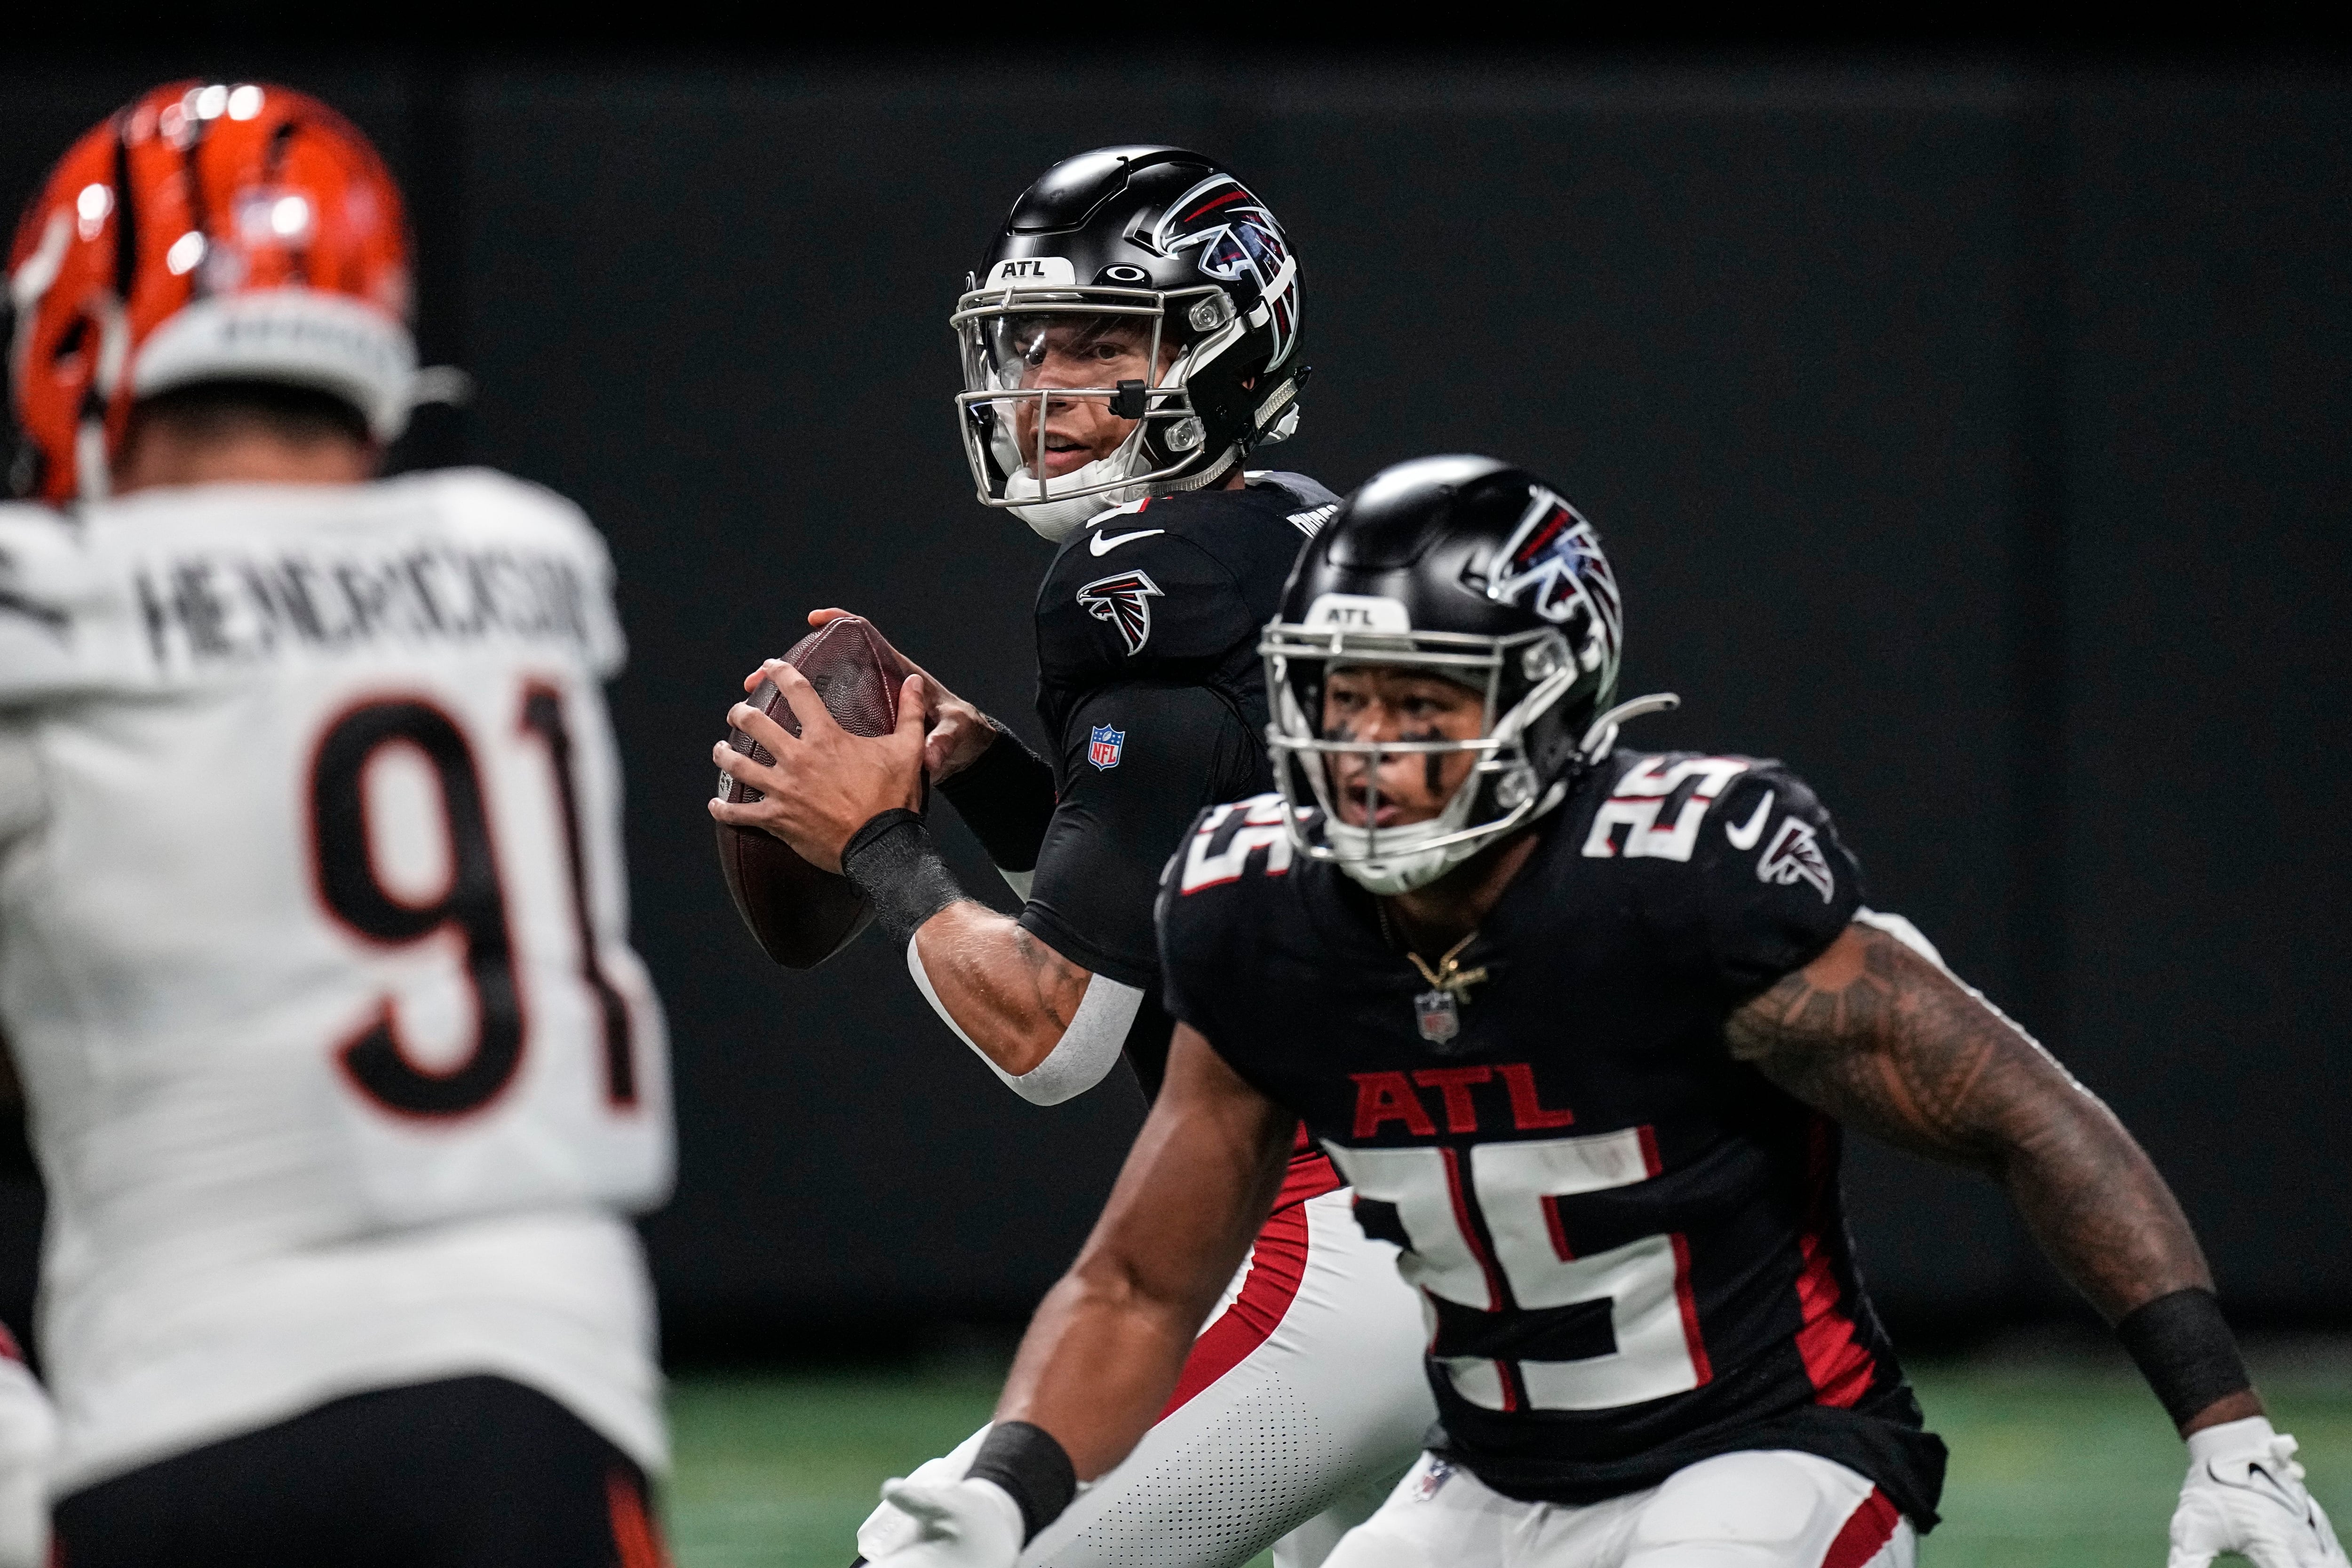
pixel 1010 993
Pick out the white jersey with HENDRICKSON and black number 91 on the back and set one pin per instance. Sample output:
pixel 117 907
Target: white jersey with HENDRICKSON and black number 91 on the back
pixel 314 956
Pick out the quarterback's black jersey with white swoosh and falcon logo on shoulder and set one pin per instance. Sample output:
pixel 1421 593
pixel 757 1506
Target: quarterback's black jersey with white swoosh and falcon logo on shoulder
pixel 1154 704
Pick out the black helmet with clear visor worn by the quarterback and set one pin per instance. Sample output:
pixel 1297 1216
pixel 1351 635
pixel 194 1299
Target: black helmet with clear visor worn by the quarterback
pixel 1163 250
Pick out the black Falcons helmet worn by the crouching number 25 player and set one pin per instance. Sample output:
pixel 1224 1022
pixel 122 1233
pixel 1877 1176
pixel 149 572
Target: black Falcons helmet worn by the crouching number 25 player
pixel 1476 572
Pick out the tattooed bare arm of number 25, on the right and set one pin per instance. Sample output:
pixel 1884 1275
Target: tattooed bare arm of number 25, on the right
pixel 1895 1047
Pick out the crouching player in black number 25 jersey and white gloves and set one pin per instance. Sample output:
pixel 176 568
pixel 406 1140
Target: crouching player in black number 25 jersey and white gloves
pixel 1582 1028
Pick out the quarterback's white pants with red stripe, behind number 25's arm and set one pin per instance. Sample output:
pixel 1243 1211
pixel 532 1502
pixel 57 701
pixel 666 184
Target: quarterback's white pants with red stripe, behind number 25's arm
pixel 1299 1409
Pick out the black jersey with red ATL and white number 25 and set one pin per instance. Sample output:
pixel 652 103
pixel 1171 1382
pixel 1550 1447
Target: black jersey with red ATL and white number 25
pixel 1631 1245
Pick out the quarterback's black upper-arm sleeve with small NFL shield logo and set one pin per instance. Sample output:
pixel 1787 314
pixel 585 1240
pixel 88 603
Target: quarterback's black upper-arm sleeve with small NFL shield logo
pixel 1175 751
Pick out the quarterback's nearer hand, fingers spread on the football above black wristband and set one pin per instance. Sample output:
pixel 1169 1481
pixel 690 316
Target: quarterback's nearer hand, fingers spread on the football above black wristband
pixel 824 784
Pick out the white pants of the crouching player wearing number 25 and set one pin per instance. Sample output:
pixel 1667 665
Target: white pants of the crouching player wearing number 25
pixel 1737 1510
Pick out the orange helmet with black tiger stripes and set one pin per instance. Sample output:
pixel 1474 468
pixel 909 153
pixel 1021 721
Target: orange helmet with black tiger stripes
pixel 208 232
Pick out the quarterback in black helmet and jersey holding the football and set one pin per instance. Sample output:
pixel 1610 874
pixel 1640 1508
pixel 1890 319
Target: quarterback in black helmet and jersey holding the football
pixel 1128 342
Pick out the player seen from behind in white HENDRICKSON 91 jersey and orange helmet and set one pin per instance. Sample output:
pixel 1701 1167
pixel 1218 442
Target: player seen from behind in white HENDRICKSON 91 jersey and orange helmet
pixel 312 904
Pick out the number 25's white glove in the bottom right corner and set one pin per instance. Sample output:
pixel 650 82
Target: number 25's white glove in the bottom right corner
pixel 2245 1494
